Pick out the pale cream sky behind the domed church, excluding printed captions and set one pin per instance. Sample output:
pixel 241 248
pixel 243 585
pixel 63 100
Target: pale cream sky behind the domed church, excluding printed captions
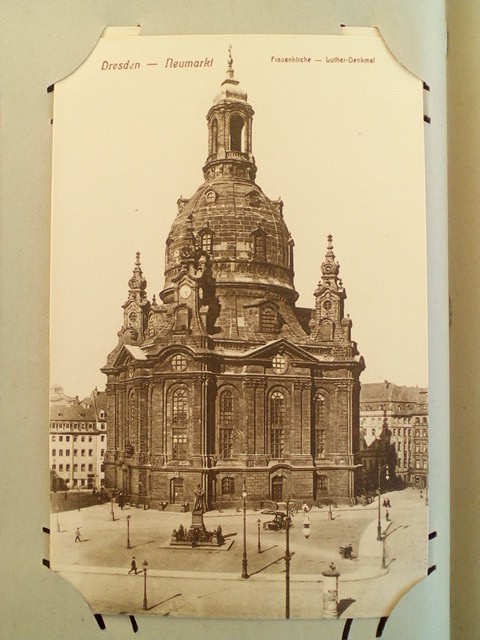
pixel 341 143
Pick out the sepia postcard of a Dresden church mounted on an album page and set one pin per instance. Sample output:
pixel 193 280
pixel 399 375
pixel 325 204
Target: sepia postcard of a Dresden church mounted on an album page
pixel 230 434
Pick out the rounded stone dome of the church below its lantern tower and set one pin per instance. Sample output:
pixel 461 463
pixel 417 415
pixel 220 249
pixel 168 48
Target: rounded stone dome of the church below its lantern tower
pixel 239 228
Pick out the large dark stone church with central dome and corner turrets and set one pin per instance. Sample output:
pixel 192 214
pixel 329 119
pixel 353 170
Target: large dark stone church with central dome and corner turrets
pixel 224 381
